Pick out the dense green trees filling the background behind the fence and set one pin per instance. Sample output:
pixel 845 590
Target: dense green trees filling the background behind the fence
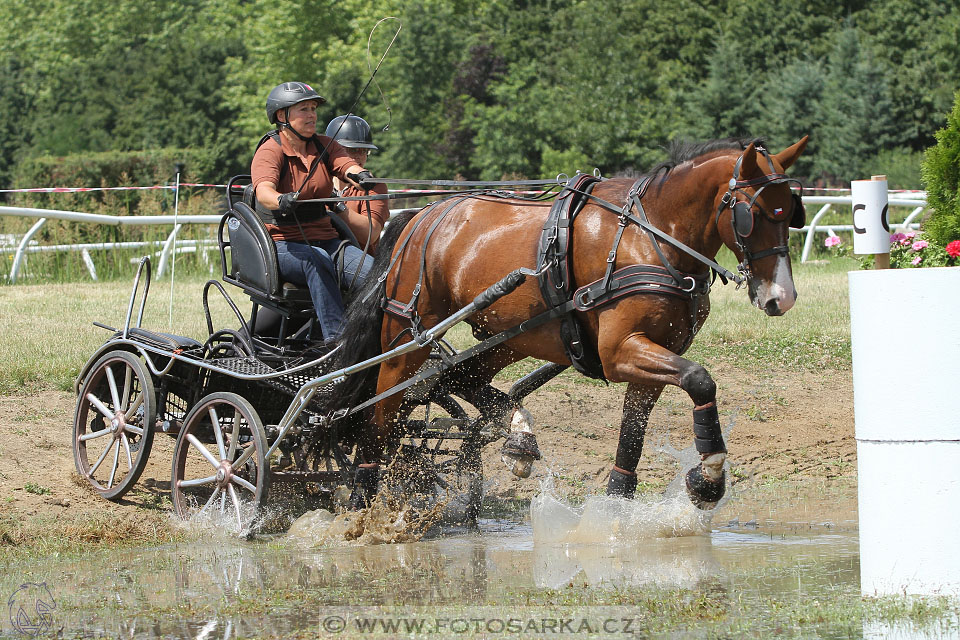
pixel 486 88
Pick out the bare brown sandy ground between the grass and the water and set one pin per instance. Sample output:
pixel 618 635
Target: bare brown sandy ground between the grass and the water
pixel 786 426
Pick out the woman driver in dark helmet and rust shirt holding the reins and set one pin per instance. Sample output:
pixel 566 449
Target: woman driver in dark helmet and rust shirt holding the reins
pixel 294 163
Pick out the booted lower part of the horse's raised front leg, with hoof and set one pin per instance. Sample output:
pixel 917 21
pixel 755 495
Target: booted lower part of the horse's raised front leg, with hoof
pixel 706 482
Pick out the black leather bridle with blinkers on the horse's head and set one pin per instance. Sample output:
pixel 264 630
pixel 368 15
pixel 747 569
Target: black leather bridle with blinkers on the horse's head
pixel 743 217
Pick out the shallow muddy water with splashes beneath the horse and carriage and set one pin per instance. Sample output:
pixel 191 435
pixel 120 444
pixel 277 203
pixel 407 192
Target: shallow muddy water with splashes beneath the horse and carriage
pixel 221 587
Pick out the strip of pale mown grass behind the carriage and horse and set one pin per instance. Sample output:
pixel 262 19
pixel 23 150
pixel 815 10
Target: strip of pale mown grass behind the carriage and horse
pixel 46 330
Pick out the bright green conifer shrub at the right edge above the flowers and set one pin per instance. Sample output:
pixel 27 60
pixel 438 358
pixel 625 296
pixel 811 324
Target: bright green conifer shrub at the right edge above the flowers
pixel 941 177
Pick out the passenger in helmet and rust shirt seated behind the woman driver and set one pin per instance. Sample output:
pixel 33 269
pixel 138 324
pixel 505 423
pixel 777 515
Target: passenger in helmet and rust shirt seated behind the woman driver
pixel 365 218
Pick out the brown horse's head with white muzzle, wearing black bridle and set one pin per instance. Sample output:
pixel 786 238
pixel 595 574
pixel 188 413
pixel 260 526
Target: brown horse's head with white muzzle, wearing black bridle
pixel 753 218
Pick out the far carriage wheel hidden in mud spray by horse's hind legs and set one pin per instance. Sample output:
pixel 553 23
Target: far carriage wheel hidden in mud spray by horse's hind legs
pixel 458 476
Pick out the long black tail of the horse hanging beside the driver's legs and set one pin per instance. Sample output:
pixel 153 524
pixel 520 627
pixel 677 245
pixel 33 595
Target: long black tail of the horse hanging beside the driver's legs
pixel 362 321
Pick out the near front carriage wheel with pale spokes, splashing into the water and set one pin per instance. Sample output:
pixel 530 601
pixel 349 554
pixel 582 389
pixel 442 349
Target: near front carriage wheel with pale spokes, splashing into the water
pixel 219 464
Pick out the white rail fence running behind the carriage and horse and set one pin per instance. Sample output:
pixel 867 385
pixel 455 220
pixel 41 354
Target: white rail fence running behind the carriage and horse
pixel 916 204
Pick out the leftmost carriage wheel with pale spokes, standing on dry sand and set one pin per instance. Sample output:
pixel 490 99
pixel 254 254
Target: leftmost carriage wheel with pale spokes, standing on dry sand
pixel 114 419
